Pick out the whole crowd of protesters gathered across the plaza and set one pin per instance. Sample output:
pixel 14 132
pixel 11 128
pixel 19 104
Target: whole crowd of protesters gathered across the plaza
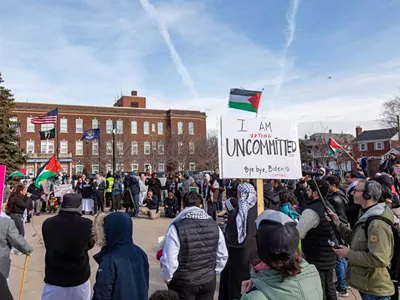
pixel 312 233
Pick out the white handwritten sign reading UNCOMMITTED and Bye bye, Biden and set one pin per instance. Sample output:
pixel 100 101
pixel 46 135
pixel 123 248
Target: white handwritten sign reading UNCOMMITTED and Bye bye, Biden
pixel 259 148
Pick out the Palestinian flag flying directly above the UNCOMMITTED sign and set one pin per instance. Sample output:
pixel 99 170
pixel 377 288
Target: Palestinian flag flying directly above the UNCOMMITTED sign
pixel 244 100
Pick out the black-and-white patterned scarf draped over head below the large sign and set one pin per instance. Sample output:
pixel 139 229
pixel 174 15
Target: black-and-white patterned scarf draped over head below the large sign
pixel 248 198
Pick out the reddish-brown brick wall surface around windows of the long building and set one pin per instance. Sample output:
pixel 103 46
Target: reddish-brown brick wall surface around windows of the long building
pixel 169 118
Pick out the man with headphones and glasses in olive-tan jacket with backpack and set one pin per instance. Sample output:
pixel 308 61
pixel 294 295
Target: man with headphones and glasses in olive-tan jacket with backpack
pixel 372 243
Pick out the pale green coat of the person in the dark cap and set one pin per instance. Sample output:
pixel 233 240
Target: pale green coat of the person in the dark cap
pixel 269 285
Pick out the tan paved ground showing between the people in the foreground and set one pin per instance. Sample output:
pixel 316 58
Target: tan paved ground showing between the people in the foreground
pixel 146 233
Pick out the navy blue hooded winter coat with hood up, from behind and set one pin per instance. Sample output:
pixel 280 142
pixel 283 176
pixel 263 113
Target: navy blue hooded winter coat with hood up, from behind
pixel 123 272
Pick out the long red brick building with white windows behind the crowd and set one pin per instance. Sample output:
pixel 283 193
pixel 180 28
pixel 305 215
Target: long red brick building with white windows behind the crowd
pixel 158 140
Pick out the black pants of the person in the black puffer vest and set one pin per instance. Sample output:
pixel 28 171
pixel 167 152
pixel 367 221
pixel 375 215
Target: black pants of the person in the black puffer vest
pixel 202 292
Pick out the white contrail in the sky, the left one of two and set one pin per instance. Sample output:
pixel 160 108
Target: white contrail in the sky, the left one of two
pixel 163 30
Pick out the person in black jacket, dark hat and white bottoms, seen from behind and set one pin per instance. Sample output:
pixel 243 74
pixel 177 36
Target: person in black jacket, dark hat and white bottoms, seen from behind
pixel 67 238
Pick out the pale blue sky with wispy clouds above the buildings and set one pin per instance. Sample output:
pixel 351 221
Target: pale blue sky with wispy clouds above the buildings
pixel 323 64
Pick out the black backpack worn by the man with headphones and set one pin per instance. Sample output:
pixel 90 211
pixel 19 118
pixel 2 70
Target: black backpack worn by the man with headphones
pixel 394 269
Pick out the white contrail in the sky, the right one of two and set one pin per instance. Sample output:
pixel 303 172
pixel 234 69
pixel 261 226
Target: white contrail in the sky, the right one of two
pixel 290 31
